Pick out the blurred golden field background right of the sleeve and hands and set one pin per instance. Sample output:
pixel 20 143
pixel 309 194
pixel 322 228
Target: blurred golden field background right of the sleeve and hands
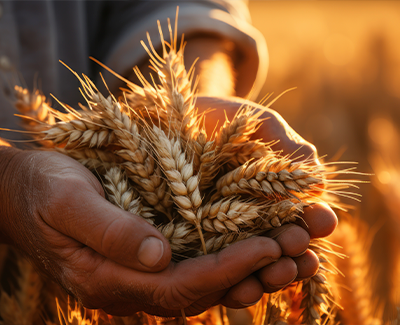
pixel 344 57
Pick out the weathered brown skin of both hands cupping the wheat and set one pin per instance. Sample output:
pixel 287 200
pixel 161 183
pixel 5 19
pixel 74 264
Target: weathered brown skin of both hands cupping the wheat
pixel 54 210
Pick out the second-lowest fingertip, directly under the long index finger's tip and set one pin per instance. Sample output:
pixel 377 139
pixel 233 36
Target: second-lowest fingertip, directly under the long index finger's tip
pixel 278 275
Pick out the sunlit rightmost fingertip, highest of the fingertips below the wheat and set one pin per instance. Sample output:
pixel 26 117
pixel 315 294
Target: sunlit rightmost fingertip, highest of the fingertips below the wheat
pixel 319 220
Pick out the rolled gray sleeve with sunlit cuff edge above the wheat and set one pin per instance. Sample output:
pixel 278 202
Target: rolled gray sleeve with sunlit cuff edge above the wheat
pixel 128 22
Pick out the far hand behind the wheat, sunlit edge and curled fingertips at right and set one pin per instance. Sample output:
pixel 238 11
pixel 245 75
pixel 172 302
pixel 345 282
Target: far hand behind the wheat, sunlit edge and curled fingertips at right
pixel 297 262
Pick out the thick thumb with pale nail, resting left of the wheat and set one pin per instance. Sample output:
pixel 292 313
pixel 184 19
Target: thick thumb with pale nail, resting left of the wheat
pixel 83 214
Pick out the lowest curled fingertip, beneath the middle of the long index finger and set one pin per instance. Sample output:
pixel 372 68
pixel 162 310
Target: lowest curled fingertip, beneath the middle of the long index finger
pixel 244 294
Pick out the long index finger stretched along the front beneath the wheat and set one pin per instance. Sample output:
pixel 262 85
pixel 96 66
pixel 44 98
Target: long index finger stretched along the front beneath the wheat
pixel 182 284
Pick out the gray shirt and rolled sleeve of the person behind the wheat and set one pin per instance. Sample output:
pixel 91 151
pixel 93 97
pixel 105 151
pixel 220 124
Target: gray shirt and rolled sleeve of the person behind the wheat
pixel 35 35
